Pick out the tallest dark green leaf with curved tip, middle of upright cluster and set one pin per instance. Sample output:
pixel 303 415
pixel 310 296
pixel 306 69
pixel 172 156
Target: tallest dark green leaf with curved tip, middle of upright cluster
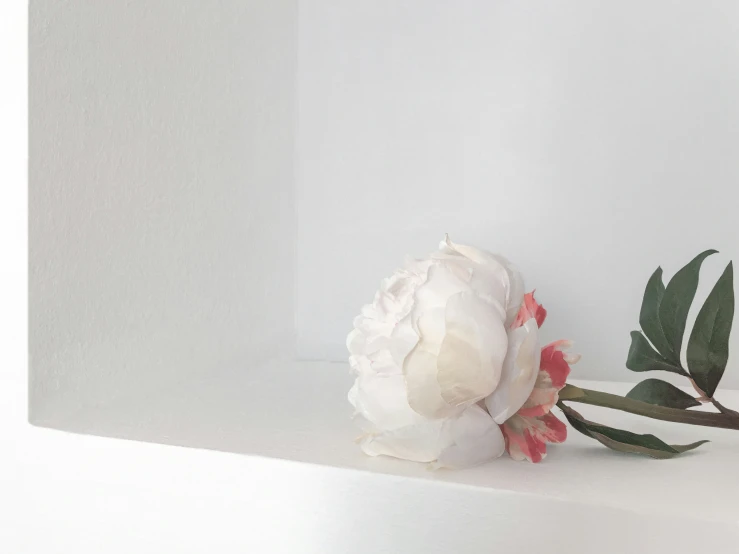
pixel 675 305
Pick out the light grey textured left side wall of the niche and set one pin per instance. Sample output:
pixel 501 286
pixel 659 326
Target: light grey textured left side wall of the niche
pixel 161 205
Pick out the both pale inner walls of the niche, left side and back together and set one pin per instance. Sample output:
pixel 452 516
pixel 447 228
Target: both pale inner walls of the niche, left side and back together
pixel 589 142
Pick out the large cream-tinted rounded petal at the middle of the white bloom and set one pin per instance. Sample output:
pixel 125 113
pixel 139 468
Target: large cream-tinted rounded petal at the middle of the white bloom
pixel 471 358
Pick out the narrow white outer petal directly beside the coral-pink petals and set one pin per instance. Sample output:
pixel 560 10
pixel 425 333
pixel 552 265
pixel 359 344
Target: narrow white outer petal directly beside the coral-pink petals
pixel 520 369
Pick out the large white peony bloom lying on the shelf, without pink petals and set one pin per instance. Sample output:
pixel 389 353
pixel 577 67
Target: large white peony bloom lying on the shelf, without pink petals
pixel 438 340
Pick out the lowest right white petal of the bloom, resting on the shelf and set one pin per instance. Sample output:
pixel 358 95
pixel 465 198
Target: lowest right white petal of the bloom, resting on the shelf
pixel 476 439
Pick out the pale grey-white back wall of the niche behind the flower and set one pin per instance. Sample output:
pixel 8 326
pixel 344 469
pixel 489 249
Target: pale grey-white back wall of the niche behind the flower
pixel 588 141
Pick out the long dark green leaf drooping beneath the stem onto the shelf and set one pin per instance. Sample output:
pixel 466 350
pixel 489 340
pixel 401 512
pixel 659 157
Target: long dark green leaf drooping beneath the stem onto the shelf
pixel 625 441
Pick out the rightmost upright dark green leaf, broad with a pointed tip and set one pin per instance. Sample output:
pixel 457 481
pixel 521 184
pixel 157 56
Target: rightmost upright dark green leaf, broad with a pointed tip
pixel 708 346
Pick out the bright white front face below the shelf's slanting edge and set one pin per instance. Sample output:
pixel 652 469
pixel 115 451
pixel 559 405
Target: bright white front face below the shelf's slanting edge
pixel 122 497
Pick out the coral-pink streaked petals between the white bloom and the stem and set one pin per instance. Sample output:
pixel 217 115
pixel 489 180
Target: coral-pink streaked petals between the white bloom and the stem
pixel 533 426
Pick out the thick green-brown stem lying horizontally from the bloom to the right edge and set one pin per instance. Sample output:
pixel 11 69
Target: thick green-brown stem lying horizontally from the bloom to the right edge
pixel 726 420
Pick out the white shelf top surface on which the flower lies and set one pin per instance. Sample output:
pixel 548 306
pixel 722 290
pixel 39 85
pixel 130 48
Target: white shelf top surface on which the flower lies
pixel 298 411
